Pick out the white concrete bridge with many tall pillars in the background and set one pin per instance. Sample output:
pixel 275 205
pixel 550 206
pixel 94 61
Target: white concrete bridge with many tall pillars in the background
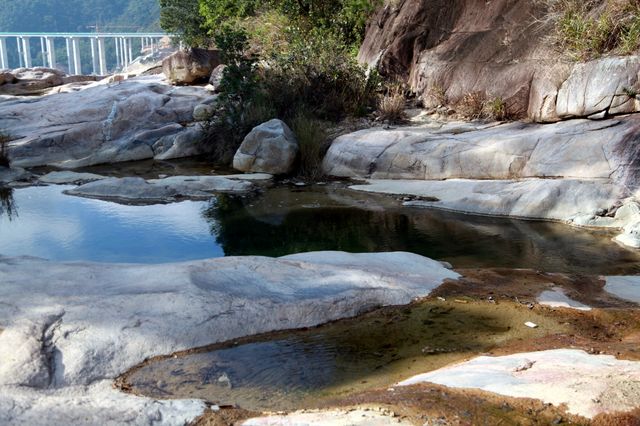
pixel 103 45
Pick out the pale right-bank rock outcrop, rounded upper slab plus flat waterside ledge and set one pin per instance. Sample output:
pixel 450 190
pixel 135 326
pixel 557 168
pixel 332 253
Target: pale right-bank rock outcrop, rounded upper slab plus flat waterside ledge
pixel 578 171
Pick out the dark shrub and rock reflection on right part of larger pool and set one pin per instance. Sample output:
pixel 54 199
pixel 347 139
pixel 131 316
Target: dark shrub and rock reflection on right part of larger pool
pixel 284 222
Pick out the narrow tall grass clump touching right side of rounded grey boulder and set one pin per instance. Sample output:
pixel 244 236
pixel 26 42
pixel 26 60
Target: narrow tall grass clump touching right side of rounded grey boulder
pixel 313 142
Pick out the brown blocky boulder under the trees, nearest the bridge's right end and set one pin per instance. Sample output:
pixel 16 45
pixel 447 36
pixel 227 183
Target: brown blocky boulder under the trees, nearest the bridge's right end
pixel 190 66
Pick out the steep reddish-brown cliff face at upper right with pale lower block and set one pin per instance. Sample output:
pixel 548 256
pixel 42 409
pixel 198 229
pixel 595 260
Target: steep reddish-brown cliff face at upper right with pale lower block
pixel 499 48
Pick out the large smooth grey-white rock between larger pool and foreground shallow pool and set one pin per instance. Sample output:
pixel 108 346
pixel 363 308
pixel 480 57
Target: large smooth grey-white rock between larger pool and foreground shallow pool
pixel 68 329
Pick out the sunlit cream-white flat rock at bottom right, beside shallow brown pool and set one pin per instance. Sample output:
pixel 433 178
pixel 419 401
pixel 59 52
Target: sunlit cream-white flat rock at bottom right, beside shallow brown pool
pixel 588 384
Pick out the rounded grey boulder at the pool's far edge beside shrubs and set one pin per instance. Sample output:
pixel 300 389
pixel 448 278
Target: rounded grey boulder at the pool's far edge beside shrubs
pixel 270 148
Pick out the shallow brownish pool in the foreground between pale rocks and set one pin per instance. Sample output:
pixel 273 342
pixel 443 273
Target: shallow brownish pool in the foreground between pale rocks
pixel 295 369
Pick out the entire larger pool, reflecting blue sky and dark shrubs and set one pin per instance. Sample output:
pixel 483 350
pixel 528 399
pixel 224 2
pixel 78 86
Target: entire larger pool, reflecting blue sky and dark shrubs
pixel 283 221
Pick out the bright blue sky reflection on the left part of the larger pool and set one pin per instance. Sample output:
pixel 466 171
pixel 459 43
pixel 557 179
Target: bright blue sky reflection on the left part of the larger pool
pixel 59 227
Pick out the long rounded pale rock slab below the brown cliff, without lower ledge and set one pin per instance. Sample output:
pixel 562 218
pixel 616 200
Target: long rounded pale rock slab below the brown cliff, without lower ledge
pixel 577 149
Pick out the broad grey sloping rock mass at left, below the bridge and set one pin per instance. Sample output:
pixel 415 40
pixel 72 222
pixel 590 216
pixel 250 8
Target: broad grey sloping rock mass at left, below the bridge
pixel 136 119
